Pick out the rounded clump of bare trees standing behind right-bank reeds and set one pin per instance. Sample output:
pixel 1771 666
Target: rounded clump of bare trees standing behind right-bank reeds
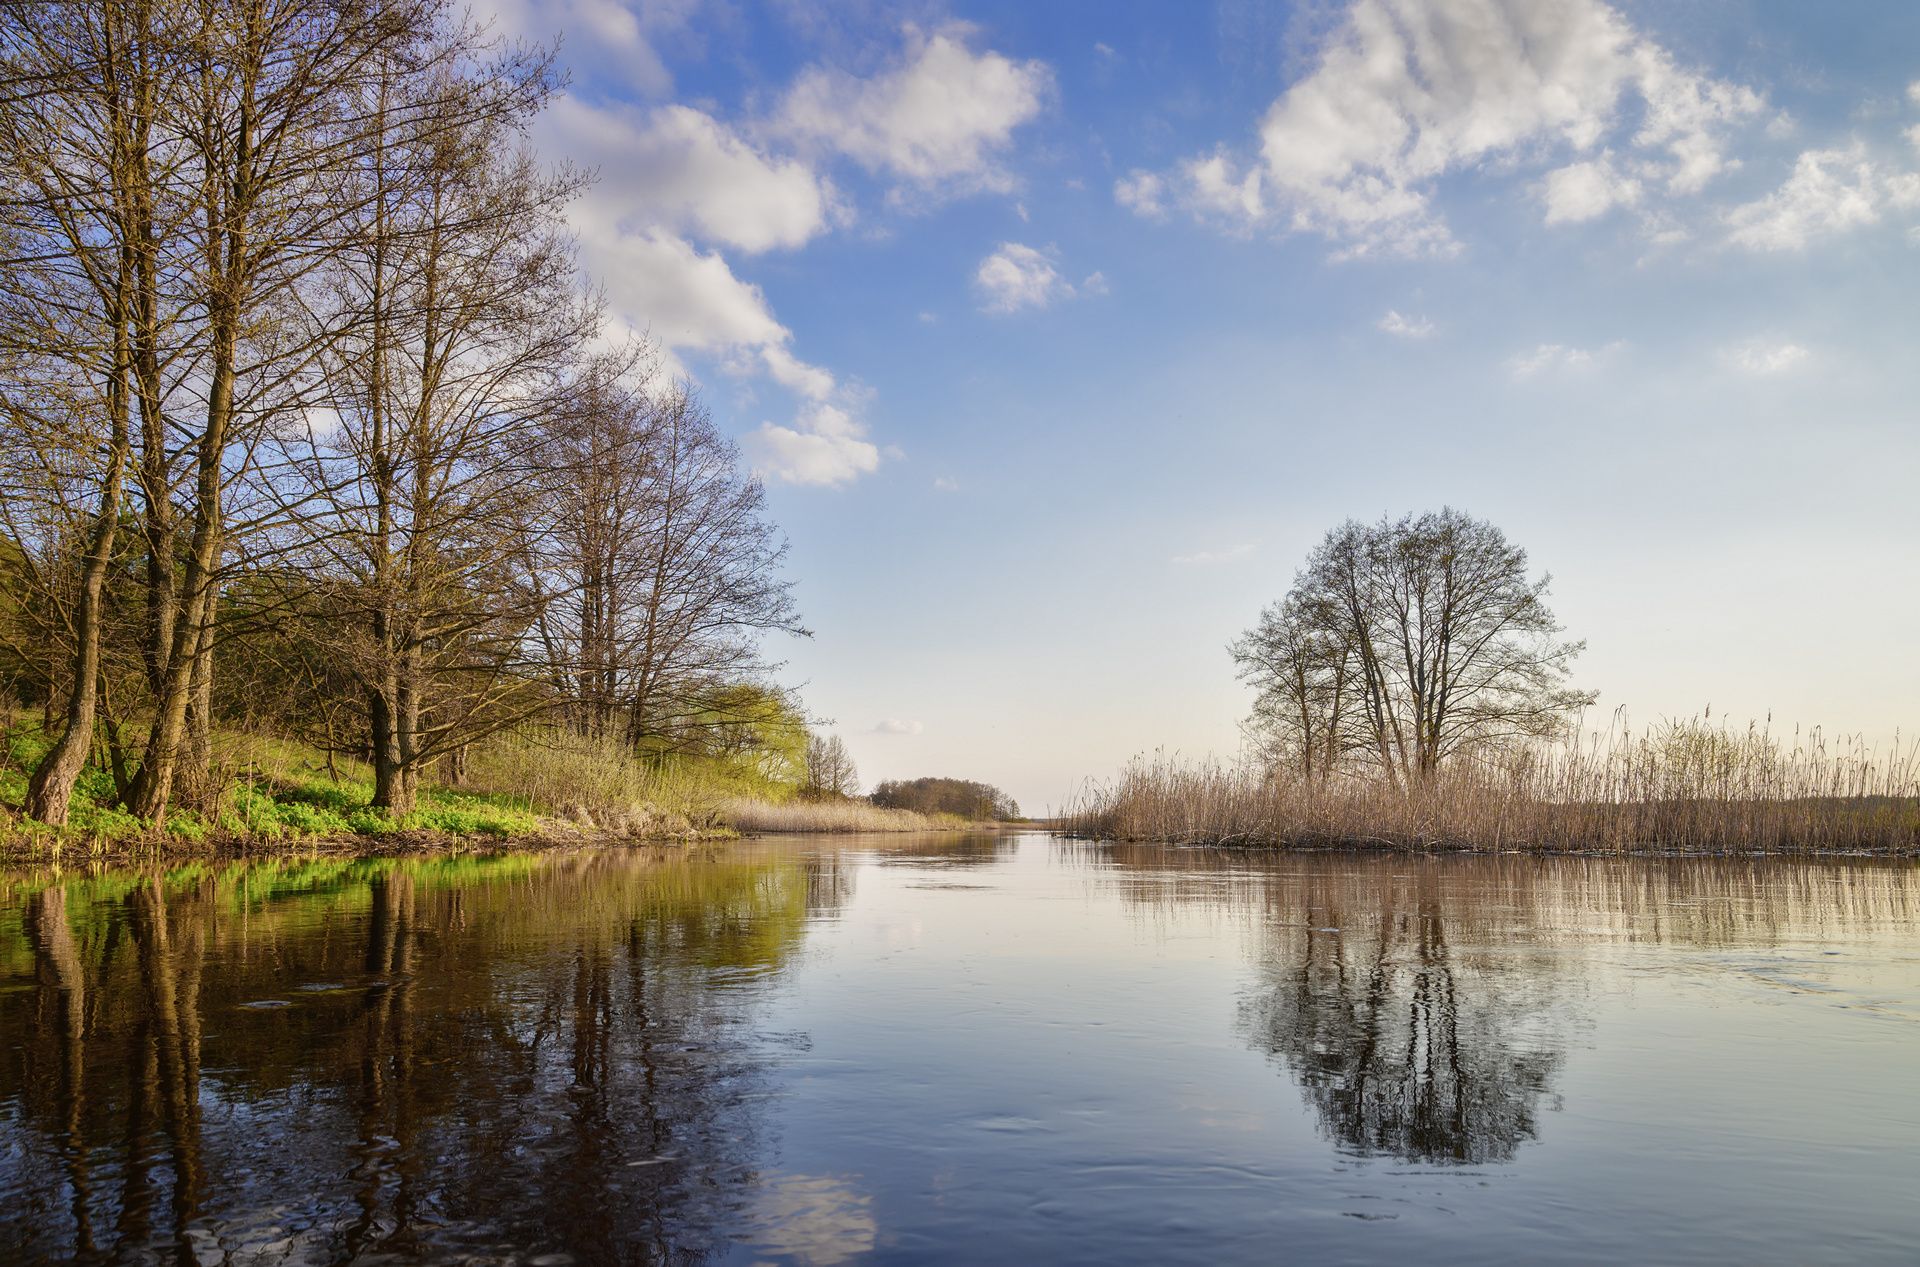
pixel 1403 646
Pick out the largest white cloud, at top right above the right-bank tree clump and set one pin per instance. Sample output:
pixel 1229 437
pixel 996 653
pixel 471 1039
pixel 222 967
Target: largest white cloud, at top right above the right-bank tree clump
pixel 1412 91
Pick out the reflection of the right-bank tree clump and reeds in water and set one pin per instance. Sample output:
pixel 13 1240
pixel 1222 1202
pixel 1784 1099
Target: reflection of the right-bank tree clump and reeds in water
pixel 1426 1005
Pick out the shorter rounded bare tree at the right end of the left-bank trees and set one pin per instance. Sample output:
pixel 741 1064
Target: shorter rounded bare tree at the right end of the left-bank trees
pixel 660 567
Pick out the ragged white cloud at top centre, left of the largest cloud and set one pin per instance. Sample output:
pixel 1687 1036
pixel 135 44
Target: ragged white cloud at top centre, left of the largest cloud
pixel 940 120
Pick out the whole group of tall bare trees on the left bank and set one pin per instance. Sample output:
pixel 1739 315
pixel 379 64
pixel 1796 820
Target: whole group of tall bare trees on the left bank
pixel 306 416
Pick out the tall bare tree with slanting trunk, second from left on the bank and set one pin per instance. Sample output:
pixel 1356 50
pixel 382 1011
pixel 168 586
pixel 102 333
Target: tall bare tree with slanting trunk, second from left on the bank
pixel 270 97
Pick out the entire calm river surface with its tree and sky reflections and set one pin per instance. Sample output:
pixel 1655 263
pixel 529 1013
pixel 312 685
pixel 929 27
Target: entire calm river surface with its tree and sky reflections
pixel 1007 1051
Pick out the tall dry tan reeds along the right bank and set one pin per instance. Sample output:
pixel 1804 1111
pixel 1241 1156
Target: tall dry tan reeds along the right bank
pixel 1673 788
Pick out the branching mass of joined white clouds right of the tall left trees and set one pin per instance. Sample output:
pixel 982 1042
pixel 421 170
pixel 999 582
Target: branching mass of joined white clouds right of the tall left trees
pixel 684 195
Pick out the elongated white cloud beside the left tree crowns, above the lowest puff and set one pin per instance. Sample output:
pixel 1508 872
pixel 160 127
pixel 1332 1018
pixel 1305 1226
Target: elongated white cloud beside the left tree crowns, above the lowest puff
pixel 683 170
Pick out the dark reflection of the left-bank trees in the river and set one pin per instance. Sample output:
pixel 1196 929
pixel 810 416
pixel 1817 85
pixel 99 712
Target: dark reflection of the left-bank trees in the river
pixel 393 1059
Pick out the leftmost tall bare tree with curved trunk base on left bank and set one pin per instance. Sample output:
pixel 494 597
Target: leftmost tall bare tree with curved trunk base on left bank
pixel 84 168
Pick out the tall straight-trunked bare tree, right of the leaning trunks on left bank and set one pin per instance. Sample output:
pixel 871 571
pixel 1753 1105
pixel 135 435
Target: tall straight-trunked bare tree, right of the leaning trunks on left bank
pixel 456 312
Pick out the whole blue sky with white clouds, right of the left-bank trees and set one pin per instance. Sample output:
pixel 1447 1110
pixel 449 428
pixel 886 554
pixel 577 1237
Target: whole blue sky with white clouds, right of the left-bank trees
pixel 1063 331
